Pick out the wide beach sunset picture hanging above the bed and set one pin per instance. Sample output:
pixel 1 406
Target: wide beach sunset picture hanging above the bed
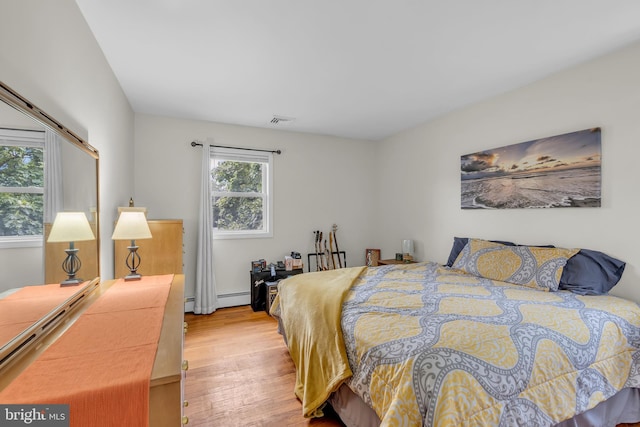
pixel 553 172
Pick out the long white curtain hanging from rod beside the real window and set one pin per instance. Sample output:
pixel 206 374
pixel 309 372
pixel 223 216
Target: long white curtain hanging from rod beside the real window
pixel 206 301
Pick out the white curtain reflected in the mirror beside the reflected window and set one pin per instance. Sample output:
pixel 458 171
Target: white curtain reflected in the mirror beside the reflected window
pixel 53 195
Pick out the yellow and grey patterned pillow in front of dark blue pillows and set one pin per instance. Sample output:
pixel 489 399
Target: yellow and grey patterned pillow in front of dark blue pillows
pixel 530 266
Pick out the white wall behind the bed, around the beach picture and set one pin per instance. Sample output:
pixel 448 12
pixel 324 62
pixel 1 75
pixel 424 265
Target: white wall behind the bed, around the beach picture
pixel 425 163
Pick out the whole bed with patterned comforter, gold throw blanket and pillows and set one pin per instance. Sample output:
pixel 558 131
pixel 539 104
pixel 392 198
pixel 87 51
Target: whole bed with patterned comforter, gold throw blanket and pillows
pixel 502 335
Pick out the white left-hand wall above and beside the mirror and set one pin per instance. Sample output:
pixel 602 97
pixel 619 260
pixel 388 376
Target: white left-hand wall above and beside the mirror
pixel 49 56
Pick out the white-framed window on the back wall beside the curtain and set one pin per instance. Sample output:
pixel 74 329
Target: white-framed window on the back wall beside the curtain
pixel 241 193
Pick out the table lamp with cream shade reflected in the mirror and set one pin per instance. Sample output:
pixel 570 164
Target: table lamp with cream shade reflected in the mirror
pixel 71 227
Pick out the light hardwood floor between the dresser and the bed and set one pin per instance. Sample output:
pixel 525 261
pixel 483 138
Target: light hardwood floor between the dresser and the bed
pixel 240 373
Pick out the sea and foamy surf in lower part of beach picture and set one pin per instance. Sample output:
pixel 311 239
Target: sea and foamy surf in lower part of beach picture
pixel 577 187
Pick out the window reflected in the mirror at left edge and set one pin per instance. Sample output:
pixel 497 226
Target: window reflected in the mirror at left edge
pixel 21 187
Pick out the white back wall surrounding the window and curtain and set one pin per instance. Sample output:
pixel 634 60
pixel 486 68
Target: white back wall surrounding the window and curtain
pixel 318 181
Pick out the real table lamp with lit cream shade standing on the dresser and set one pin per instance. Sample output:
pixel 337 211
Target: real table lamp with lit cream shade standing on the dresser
pixel 132 225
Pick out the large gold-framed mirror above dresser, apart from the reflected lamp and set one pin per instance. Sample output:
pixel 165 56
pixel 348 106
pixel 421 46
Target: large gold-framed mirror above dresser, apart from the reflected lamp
pixel 57 172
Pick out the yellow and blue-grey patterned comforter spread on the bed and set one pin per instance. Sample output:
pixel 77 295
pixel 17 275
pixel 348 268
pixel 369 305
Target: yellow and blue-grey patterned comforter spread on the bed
pixel 434 346
